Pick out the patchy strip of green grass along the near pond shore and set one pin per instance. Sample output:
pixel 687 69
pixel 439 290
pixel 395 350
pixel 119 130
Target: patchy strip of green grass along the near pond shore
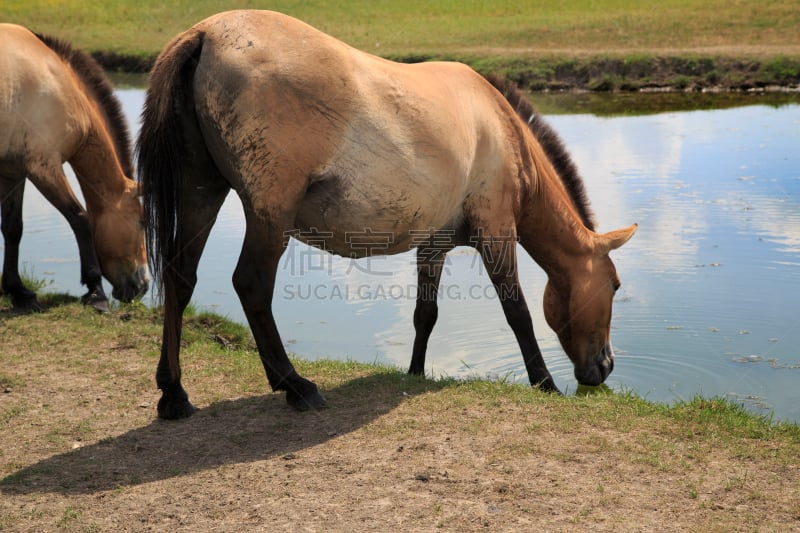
pixel 224 345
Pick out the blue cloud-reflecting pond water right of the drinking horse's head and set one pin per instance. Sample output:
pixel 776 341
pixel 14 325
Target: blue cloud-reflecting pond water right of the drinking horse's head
pixel 710 289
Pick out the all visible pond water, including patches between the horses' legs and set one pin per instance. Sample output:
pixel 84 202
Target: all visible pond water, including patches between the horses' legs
pixel 710 302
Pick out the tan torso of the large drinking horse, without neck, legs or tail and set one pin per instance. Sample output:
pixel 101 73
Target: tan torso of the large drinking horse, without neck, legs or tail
pixel 377 144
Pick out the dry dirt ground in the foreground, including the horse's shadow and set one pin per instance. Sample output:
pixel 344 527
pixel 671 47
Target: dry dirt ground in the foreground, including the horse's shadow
pixel 81 450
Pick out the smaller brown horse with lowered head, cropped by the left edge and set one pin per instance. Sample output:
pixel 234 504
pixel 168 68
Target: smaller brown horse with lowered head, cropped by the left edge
pixel 56 105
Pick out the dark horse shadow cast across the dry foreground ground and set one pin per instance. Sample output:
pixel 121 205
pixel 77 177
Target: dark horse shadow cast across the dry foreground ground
pixel 227 432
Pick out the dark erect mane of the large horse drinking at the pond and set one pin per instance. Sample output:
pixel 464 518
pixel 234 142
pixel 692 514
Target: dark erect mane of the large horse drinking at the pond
pixel 552 146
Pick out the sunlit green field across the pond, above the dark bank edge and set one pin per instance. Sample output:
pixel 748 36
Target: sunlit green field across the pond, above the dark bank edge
pixel 441 28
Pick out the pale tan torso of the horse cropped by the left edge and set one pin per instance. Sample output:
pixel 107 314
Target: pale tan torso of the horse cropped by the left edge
pixel 36 93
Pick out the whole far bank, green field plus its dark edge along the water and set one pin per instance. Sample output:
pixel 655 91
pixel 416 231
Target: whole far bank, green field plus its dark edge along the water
pixel 615 44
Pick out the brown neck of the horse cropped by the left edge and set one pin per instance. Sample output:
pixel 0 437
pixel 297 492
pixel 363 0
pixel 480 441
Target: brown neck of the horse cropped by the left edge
pixel 97 167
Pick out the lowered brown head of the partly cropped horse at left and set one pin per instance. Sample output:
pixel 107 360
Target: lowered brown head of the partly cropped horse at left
pixel 119 244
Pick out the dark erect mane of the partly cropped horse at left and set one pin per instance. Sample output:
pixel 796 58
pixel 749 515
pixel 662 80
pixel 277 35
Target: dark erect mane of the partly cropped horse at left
pixel 96 81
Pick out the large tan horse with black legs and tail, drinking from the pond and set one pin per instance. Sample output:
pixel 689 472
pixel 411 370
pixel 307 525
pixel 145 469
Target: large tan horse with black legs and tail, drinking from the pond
pixel 360 156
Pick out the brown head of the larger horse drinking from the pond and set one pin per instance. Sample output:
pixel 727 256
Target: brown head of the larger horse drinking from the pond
pixel 577 306
